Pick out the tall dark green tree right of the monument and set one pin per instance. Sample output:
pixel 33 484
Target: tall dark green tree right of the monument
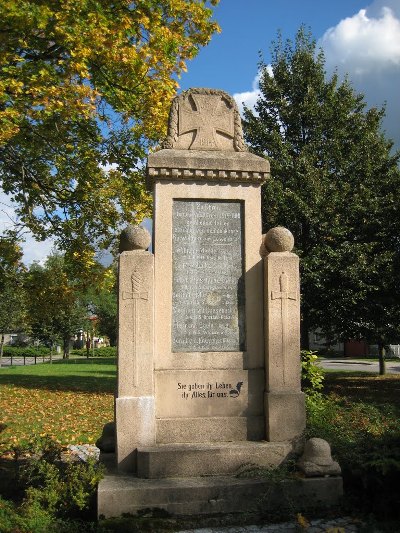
pixel 334 185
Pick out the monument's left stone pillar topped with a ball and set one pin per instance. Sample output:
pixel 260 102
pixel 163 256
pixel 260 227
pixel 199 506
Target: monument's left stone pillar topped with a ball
pixel 134 405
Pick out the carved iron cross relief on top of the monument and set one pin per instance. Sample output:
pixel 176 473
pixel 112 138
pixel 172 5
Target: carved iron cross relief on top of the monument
pixel 211 115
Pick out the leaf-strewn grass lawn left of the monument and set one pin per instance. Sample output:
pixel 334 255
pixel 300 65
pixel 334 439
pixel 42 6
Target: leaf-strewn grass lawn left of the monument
pixel 70 401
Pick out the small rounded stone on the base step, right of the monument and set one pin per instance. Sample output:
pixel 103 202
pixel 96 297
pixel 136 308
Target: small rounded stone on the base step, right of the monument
pixel 317 460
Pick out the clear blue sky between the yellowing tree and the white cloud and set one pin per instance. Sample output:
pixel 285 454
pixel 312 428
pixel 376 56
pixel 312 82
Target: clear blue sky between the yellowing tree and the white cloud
pixel 229 62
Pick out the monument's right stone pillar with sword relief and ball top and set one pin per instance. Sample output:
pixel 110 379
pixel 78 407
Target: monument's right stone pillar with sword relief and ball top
pixel 284 401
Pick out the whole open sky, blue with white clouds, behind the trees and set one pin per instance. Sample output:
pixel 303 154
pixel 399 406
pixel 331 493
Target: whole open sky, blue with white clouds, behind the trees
pixel 360 38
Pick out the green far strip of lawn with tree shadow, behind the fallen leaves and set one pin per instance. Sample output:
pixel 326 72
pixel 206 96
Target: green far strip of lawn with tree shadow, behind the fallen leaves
pixel 74 375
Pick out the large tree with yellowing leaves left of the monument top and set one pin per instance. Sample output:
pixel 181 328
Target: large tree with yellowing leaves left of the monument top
pixel 85 87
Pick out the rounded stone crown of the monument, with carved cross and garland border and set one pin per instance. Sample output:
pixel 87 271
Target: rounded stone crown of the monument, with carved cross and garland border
pixel 204 119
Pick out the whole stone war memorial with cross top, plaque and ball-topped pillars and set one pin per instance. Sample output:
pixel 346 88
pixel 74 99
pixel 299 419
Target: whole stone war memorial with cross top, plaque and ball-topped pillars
pixel 209 326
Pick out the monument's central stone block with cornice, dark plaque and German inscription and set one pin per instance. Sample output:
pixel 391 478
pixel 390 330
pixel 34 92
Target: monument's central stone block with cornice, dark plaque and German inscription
pixel 209 364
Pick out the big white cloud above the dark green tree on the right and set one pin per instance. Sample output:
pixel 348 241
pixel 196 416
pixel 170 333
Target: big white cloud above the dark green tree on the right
pixel 366 46
